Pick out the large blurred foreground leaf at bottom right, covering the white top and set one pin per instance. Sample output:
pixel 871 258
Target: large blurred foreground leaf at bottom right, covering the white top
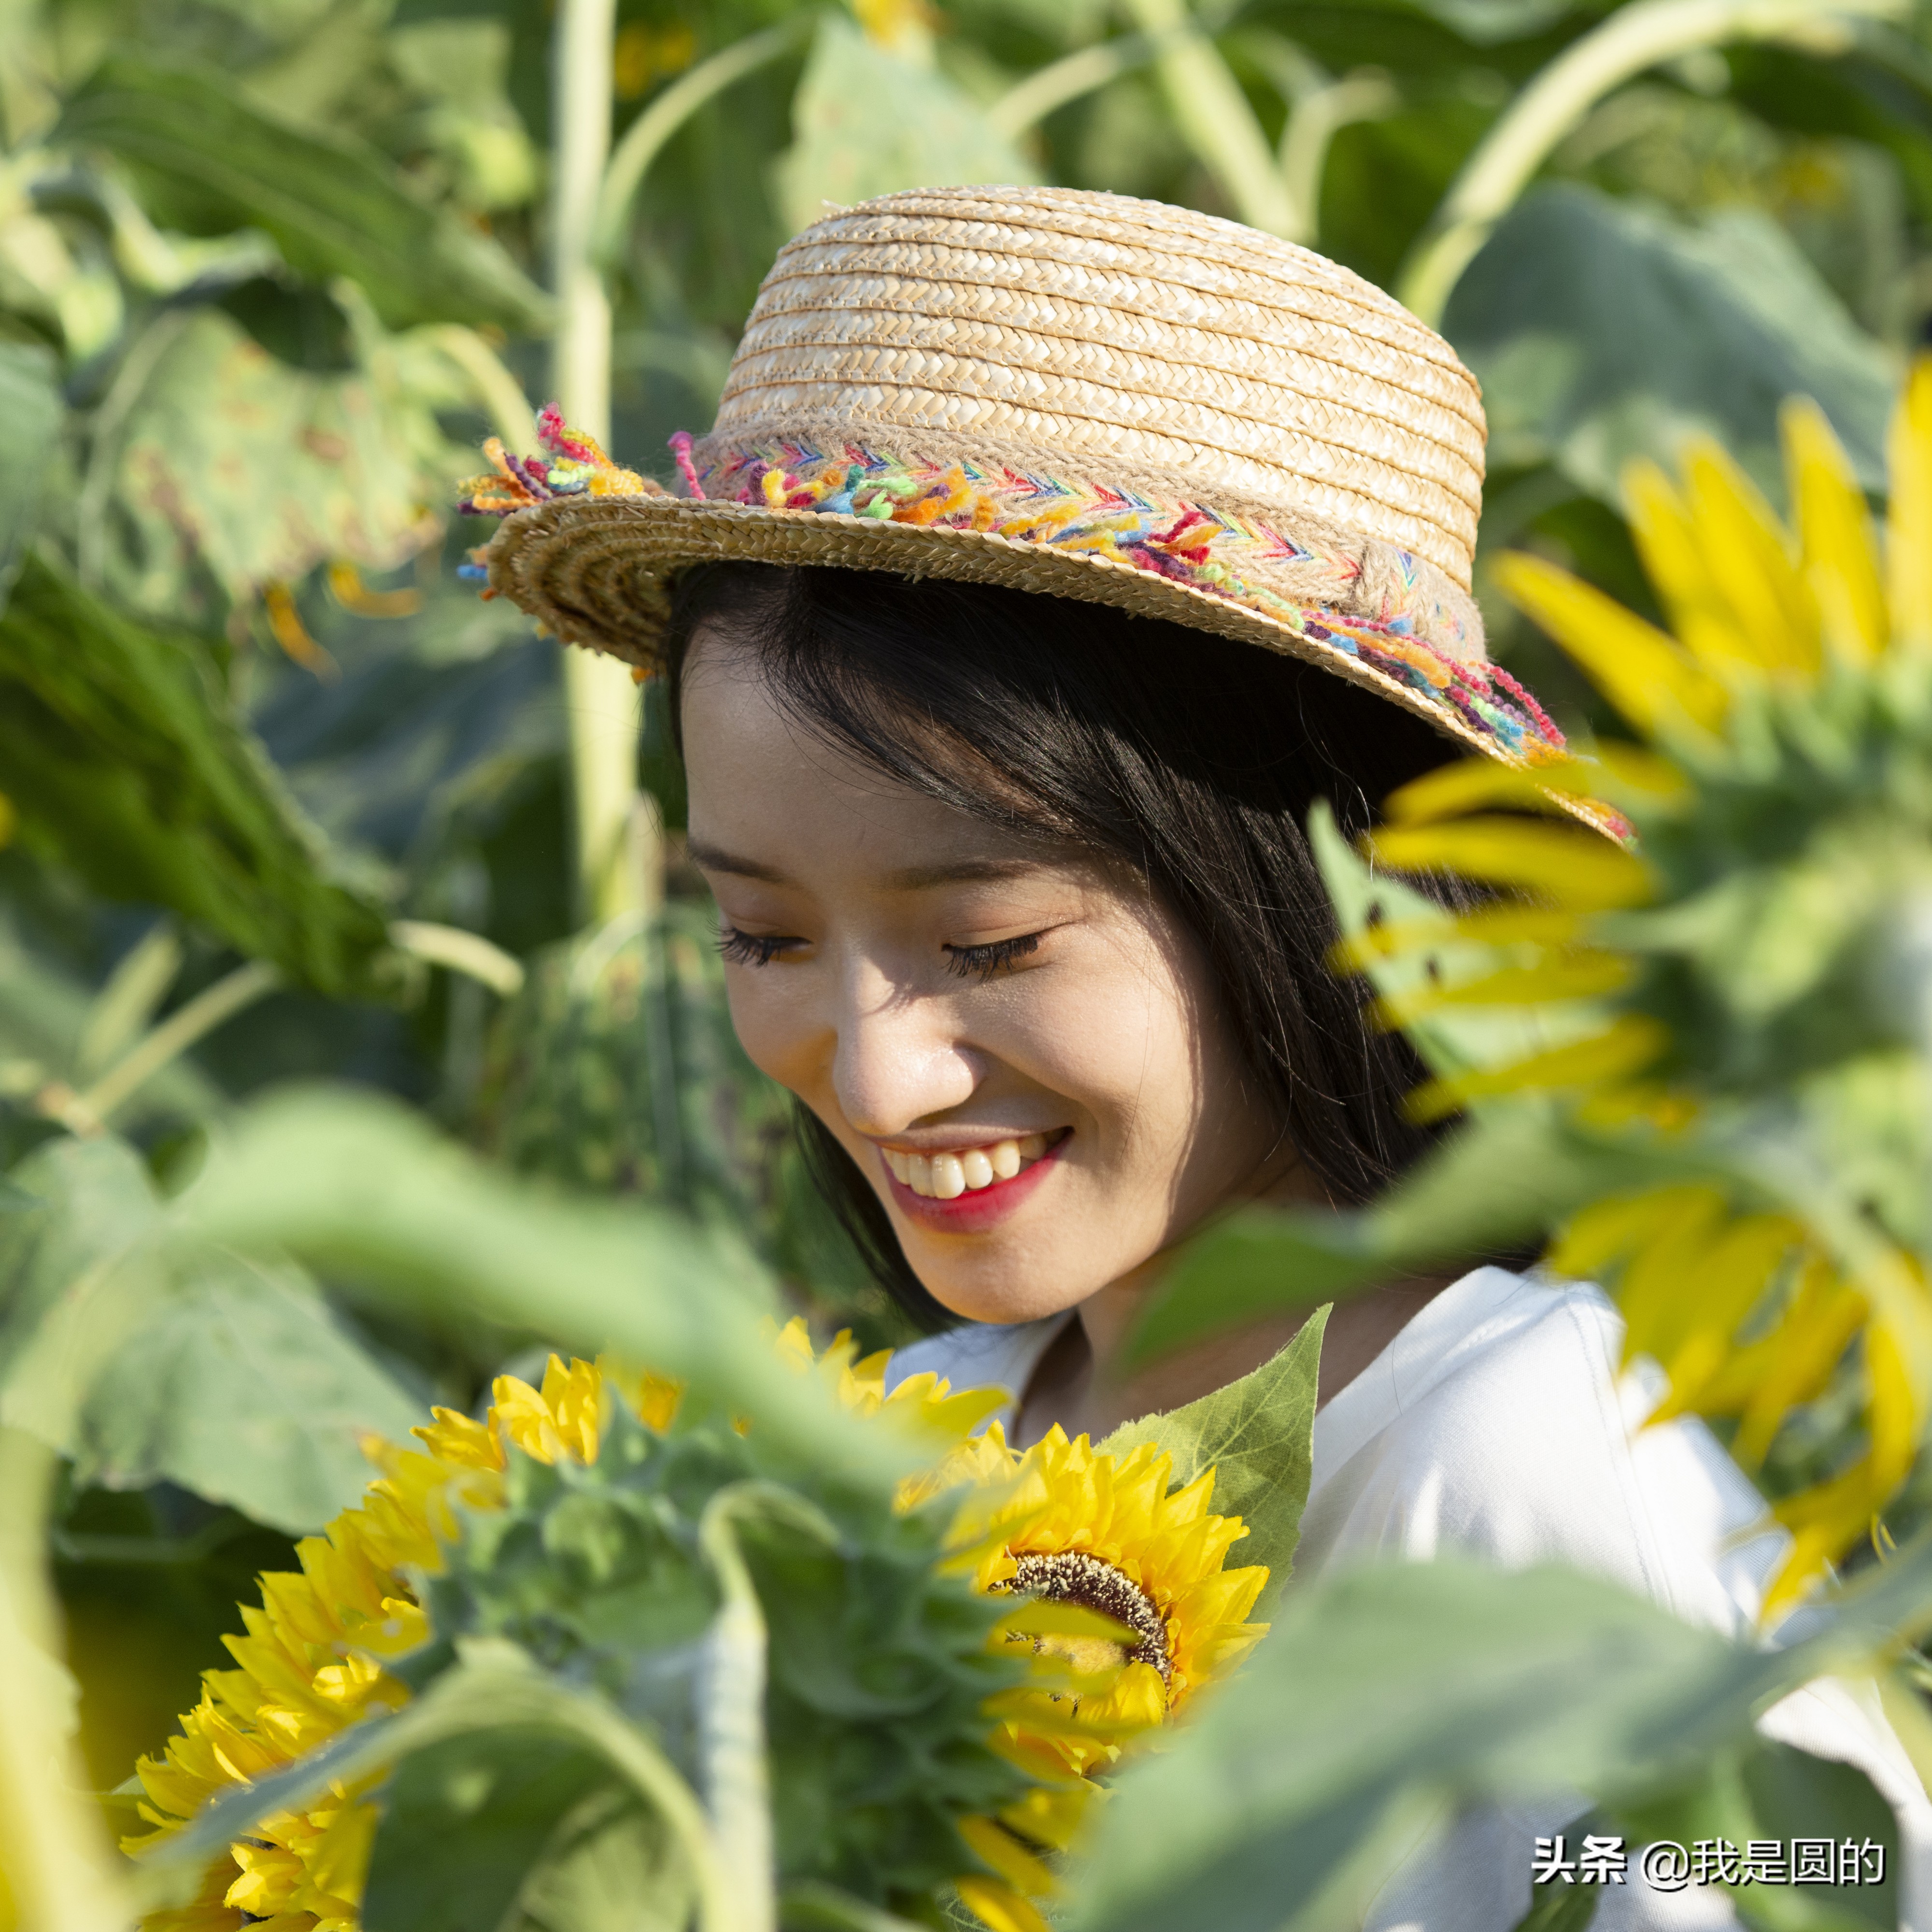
pixel 1398 1691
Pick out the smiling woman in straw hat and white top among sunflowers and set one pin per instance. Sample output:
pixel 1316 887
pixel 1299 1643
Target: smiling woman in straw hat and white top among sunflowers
pixel 1052 555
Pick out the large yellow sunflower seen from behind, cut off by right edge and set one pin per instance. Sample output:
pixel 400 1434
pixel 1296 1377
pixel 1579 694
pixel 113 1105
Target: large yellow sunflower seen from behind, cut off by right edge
pixel 1730 998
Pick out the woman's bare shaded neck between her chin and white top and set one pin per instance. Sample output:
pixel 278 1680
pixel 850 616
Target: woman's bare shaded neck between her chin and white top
pixel 1089 1388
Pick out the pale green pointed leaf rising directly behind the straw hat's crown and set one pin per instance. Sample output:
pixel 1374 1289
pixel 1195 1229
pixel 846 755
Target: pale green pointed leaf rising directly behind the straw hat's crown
pixel 868 123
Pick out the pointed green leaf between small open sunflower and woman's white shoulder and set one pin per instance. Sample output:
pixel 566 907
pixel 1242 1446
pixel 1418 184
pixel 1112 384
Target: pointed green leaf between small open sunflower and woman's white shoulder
pixel 1259 1438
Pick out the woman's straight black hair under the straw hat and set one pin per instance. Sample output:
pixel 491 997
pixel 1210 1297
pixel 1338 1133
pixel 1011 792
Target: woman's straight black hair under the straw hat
pixel 1185 756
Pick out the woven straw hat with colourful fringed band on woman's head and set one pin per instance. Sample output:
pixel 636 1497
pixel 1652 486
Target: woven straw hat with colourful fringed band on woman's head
pixel 1067 393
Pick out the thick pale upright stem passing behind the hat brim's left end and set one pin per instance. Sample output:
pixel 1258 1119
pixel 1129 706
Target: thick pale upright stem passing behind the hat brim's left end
pixel 600 695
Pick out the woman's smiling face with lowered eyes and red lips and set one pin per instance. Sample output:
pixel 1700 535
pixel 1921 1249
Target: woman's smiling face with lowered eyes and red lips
pixel 1015 1044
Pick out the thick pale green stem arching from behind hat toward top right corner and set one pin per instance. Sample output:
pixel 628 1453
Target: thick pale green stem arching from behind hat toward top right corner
pixel 1628 43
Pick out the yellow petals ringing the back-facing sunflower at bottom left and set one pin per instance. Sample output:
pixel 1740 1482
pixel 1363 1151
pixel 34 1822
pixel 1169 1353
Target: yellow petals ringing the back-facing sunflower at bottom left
pixel 312 1657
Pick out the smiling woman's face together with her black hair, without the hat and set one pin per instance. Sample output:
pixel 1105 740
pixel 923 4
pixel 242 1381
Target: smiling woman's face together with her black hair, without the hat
pixel 1031 924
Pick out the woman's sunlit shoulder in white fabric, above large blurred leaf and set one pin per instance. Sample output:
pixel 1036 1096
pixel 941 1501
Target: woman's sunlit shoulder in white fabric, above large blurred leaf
pixel 1502 1425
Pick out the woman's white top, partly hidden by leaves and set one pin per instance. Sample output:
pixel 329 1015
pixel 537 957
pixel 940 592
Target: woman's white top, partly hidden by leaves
pixel 1496 1427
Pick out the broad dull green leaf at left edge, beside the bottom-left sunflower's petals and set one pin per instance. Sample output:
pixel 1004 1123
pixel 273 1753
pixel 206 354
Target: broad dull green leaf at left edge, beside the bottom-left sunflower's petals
pixel 154 1361
